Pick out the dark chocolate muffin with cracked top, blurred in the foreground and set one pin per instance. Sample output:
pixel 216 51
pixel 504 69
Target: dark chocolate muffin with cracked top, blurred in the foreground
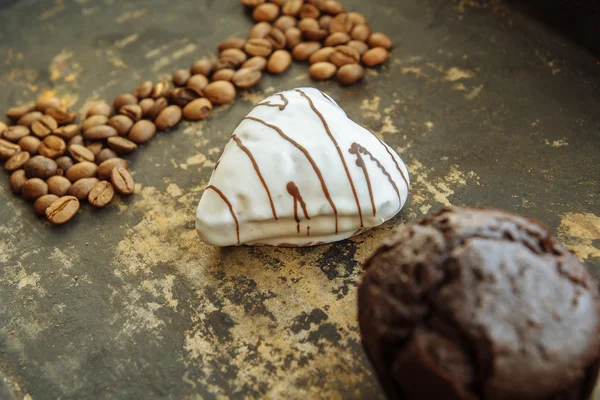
pixel 477 304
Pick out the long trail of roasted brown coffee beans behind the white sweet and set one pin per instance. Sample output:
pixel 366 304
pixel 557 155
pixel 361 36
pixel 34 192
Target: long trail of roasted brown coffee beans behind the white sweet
pixel 56 162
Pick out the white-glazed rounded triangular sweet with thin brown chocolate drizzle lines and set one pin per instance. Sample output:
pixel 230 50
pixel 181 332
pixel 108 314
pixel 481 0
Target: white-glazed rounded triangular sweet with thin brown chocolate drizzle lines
pixel 299 172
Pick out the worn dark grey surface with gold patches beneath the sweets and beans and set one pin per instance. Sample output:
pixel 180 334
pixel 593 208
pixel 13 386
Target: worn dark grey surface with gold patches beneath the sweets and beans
pixel 487 107
